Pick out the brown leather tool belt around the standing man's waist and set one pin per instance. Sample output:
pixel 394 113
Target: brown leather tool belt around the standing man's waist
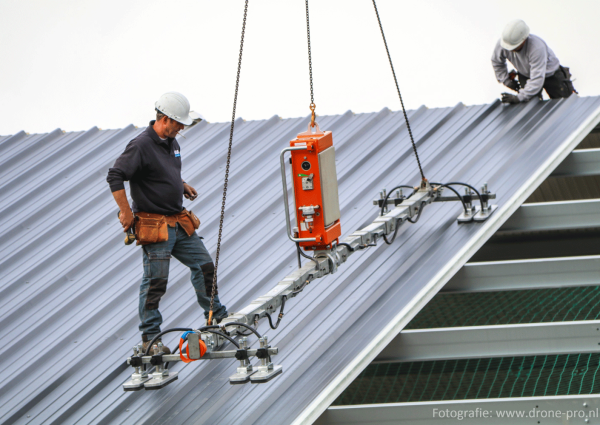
pixel 153 228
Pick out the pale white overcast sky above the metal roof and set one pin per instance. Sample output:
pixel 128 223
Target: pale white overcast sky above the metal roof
pixel 75 64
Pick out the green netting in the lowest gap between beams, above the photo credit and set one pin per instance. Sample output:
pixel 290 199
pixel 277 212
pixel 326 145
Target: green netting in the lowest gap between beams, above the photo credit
pixel 529 376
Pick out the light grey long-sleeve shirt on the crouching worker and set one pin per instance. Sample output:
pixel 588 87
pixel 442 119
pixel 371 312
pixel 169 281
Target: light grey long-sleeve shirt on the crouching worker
pixel 535 60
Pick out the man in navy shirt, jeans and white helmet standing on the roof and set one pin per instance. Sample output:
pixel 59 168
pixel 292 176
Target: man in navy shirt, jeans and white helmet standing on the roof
pixel 152 164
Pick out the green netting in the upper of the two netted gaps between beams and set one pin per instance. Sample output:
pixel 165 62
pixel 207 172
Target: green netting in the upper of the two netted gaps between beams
pixel 509 307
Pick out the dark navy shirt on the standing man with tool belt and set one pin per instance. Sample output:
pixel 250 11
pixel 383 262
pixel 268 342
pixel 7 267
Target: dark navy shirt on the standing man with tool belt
pixel 153 168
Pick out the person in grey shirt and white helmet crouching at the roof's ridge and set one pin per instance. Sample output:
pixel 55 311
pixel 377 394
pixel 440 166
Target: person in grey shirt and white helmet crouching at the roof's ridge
pixel 537 66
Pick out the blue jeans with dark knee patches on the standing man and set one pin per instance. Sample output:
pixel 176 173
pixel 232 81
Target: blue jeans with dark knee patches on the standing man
pixel 190 251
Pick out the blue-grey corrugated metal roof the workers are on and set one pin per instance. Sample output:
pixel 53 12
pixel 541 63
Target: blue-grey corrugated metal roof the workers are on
pixel 68 288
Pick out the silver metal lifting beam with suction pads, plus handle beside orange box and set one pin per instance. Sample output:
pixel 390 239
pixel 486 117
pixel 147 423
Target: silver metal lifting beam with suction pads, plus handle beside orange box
pixel 324 262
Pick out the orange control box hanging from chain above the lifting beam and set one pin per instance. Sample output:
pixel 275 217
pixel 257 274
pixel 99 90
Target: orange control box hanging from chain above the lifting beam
pixel 314 179
